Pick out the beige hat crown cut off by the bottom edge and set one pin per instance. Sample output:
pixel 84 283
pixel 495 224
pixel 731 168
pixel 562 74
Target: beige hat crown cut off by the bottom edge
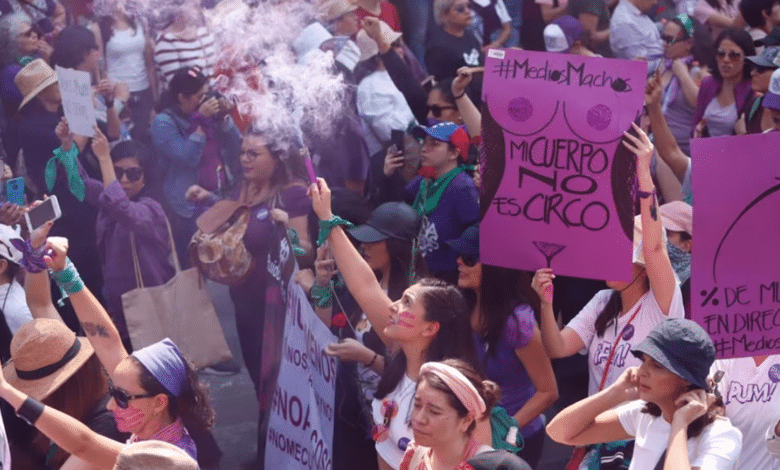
pixel 154 455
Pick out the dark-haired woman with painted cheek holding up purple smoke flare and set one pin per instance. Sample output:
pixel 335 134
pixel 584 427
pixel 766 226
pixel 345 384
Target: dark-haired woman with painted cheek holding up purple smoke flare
pixel 430 322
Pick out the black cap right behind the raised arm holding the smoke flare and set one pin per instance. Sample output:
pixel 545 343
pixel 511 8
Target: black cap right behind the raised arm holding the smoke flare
pixel 390 220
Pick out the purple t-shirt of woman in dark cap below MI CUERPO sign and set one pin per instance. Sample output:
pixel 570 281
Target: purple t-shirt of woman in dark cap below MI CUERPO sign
pixel 506 369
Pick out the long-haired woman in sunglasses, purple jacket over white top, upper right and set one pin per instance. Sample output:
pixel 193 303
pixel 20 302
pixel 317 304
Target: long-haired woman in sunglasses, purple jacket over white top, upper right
pixel 725 94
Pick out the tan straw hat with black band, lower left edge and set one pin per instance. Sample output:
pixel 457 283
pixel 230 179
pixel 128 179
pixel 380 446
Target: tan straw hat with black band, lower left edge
pixel 45 353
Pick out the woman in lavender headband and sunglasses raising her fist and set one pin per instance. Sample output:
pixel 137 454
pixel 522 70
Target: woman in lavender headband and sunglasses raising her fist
pixel 155 393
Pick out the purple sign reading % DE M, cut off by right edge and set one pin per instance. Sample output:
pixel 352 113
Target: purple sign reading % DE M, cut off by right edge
pixel 735 279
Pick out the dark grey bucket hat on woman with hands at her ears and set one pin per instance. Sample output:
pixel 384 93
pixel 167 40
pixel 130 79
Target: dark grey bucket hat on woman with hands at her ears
pixel 683 347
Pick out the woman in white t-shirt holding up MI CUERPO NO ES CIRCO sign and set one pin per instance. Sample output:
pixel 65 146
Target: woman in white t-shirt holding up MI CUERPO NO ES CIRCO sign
pixel 618 318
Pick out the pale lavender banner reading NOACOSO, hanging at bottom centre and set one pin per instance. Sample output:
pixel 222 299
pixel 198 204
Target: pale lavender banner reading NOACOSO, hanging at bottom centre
pixel 300 428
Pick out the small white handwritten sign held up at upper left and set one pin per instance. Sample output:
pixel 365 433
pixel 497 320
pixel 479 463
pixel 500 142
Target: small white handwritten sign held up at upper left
pixel 76 90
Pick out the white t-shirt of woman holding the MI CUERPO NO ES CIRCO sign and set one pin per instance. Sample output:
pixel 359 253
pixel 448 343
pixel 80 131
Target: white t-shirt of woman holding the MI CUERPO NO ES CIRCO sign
pixel 598 349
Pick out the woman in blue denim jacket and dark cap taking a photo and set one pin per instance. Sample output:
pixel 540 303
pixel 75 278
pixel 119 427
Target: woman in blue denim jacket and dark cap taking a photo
pixel 196 142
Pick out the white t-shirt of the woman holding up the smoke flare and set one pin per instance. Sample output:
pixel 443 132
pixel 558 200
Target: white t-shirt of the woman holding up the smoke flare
pixel 400 426
